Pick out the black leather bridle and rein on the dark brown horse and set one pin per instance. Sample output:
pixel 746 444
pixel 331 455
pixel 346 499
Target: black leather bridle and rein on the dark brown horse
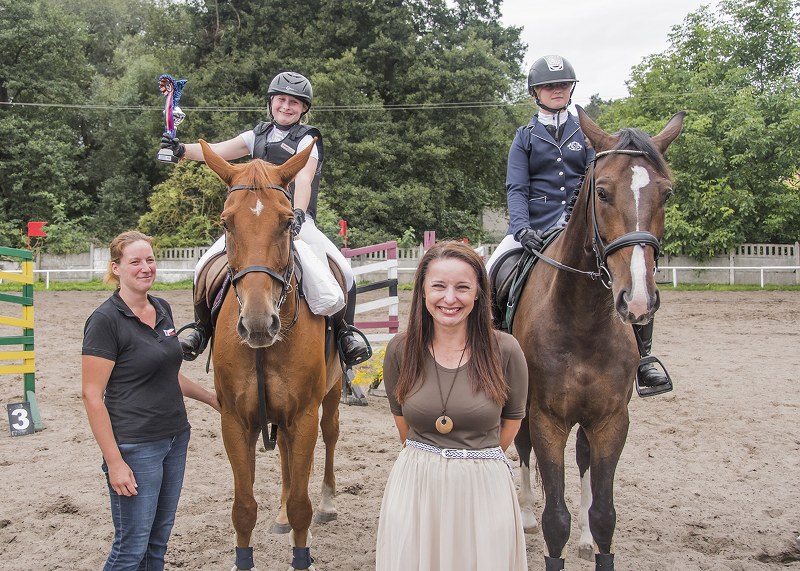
pixel 602 250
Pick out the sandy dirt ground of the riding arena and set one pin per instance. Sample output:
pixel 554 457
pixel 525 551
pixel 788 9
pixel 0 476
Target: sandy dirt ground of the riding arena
pixel 708 479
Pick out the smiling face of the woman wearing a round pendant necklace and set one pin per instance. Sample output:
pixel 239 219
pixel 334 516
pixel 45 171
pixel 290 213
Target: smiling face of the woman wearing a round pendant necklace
pixel 451 287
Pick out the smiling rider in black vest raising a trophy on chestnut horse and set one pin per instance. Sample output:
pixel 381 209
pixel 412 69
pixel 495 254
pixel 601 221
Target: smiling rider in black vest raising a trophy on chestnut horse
pixel 290 97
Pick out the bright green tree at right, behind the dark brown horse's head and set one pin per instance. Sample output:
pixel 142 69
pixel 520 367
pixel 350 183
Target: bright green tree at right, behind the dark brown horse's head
pixel 737 162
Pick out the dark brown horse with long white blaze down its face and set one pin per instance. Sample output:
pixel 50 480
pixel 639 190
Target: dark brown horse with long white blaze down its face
pixel 573 321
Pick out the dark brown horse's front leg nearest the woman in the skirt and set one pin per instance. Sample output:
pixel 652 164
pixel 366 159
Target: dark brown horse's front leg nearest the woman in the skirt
pixel 549 440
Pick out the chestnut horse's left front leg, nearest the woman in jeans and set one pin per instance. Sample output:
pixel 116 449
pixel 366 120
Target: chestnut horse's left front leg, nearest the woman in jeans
pixel 240 445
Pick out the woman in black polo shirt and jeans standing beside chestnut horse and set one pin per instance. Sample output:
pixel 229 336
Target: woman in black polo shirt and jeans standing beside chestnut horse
pixel 133 393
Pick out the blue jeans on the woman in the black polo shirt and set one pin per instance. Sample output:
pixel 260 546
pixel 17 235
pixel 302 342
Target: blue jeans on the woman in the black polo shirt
pixel 143 523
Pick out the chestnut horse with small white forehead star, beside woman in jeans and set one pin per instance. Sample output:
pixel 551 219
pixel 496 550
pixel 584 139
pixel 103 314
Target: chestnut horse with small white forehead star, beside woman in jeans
pixel 267 341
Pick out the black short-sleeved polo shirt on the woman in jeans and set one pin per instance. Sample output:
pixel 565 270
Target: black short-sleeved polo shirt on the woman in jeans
pixel 143 396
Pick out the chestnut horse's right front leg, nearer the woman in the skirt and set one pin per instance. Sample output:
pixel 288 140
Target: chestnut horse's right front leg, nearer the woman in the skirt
pixel 301 437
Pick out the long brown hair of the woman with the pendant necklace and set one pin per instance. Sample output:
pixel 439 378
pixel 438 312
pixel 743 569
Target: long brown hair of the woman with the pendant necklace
pixel 484 365
